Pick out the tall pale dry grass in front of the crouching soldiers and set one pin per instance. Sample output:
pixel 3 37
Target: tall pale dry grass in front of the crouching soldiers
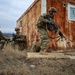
pixel 11 53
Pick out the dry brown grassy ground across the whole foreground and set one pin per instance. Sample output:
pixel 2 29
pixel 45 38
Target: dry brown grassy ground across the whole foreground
pixel 15 62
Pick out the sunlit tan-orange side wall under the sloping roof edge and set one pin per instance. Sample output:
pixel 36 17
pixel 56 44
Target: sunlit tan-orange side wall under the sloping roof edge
pixel 29 20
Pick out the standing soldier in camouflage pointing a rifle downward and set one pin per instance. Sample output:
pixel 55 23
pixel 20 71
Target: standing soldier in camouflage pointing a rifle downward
pixel 44 24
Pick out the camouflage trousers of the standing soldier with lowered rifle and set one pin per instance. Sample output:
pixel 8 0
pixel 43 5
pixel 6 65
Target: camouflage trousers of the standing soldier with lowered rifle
pixel 43 43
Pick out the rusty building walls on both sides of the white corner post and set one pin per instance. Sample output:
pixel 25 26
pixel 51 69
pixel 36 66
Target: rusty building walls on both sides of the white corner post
pixel 30 17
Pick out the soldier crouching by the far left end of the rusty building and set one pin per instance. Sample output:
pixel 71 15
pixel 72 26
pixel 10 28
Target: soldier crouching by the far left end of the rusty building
pixel 19 39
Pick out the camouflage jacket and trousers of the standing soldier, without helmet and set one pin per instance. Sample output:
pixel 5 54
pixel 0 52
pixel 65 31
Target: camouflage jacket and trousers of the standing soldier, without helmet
pixel 42 26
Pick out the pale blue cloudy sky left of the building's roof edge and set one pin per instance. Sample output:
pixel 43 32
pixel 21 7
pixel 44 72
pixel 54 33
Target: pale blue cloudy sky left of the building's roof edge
pixel 10 11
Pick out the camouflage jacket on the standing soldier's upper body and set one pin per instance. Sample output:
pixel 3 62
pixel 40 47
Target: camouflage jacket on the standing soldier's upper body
pixel 45 20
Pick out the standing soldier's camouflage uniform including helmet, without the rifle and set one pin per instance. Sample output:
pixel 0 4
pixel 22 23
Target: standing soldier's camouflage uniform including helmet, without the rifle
pixel 45 23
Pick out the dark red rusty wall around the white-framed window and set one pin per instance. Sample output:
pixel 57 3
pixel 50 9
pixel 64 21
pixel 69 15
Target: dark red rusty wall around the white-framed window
pixel 66 26
